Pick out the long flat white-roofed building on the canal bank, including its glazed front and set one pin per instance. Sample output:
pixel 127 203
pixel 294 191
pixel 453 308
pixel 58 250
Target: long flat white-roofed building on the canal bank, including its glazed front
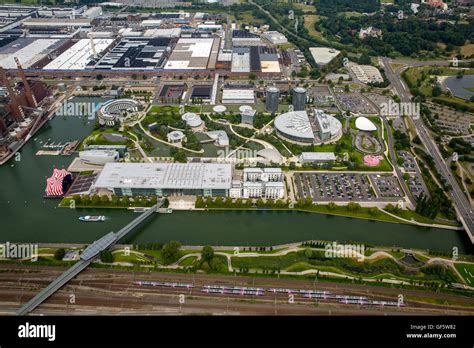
pixel 166 179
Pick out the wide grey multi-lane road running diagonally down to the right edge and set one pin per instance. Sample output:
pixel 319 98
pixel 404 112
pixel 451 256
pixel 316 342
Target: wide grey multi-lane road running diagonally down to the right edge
pixel 461 204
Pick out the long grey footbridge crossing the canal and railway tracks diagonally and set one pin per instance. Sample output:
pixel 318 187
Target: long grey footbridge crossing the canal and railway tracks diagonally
pixel 87 257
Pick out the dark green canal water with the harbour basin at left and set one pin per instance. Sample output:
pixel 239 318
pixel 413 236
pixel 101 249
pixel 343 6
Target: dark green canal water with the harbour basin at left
pixel 25 216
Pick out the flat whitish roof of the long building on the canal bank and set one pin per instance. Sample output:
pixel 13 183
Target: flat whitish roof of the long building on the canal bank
pixel 165 176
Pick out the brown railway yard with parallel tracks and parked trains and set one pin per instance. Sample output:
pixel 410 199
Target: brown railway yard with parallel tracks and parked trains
pixel 118 292
